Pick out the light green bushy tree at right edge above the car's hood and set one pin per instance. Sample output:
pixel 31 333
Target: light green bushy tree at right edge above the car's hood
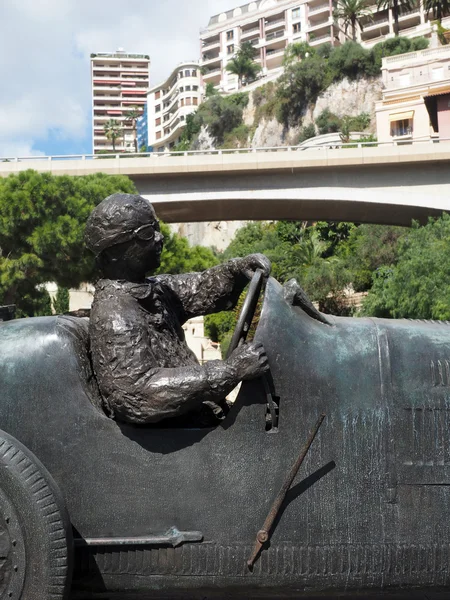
pixel 418 285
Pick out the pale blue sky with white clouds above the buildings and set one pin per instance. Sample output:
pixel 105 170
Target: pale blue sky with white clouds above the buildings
pixel 45 47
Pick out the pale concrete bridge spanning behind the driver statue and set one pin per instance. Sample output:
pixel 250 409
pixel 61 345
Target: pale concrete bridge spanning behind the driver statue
pixel 388 183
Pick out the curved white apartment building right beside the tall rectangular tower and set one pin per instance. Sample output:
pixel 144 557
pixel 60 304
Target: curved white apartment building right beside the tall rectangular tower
pixel 170 102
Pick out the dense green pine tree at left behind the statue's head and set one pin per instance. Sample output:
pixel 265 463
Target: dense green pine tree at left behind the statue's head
pixel 42 220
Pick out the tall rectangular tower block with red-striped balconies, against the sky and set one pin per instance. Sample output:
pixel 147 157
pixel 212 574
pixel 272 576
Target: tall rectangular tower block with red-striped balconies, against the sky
pixel 119 82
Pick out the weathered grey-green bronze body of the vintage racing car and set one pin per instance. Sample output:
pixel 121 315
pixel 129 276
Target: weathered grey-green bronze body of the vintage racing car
pixel 367 513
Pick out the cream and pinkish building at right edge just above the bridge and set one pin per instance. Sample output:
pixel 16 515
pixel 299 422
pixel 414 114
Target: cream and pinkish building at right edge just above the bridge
pixel 416 97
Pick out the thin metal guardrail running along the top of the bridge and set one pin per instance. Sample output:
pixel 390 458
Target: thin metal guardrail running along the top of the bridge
pixel 328 146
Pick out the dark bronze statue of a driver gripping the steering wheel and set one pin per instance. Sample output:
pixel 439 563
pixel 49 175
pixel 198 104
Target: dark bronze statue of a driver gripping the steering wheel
pixel 144 368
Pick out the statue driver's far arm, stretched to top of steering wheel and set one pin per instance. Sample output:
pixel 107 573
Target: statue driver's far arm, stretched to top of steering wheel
pixel 217 288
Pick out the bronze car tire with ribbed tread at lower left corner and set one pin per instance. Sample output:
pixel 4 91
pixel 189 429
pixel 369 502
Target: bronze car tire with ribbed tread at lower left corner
pixel 36 548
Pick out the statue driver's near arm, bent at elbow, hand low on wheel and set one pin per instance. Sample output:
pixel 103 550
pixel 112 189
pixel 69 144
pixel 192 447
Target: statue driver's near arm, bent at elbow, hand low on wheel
pixel 136 391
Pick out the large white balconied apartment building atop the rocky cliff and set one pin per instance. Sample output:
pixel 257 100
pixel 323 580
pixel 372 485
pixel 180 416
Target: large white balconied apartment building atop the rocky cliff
pixel 270 25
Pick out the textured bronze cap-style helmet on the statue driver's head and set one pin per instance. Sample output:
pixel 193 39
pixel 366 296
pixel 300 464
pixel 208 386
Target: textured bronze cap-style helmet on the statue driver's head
pixel 115 221
